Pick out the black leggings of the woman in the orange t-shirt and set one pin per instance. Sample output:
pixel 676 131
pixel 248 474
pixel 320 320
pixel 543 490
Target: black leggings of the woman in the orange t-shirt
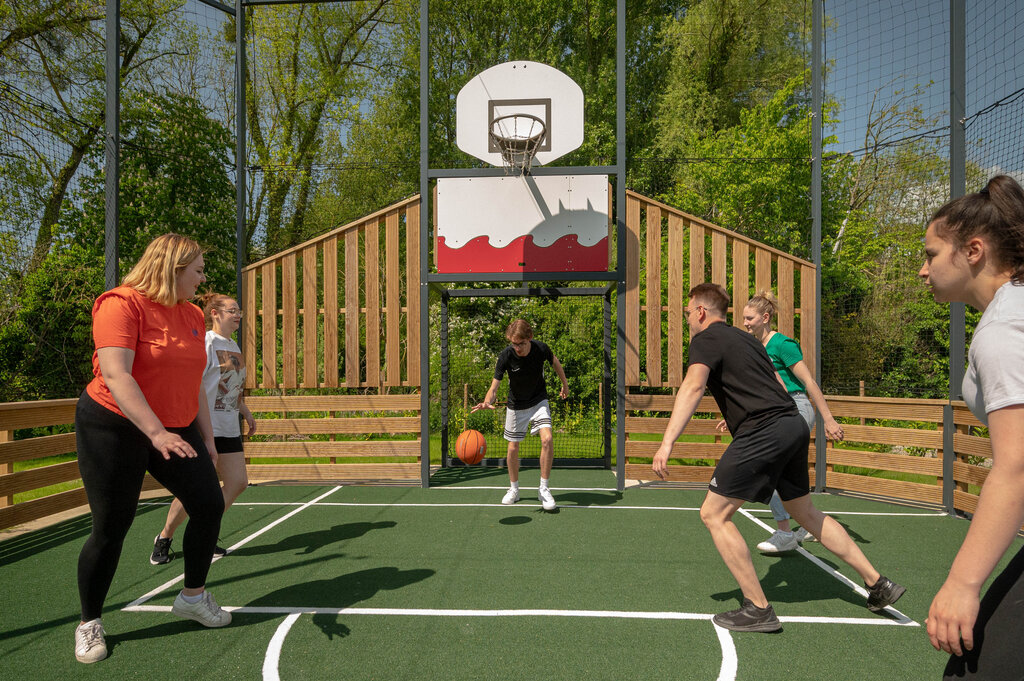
pixel 113 457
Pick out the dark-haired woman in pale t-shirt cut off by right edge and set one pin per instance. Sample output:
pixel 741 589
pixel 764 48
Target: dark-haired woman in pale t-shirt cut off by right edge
pixel 974 253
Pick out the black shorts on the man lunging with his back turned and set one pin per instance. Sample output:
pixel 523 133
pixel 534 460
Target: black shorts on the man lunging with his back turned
pixel 765 459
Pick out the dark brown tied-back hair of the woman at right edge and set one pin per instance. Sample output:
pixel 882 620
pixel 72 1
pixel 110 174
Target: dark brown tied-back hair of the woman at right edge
pixel 997 215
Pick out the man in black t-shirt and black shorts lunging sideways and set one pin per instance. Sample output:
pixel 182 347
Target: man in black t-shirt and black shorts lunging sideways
pixel 769 452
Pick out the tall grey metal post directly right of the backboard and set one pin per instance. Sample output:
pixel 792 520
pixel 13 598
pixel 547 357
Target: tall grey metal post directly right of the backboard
pixel 621 244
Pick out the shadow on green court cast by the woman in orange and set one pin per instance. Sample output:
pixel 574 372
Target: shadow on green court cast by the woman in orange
pixel 342 592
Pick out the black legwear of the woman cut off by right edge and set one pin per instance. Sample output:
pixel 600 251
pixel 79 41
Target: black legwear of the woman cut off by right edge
pixel 998 654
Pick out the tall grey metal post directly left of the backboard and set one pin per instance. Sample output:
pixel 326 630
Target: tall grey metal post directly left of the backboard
pixel 424 245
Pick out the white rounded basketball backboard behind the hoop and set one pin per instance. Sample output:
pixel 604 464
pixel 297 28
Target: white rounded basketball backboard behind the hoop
pixel 521 88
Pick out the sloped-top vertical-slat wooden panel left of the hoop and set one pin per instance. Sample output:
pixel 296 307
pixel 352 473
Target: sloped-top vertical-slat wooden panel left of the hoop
pixel 339 311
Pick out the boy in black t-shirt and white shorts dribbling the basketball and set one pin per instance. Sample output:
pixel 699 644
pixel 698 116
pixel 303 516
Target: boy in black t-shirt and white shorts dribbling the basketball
pixel 528 406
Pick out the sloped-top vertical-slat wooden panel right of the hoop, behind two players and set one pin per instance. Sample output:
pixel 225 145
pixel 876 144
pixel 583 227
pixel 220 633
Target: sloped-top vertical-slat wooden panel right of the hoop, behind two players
pixel 663 242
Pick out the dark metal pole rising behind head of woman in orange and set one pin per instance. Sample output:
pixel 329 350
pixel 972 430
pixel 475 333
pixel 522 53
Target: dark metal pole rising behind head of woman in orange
pixel 112 144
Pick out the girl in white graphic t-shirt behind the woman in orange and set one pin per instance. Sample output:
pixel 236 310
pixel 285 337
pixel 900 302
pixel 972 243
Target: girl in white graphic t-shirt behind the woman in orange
pixel 224 381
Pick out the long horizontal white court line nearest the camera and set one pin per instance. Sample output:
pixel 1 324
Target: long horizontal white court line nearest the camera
pixel 523 613
